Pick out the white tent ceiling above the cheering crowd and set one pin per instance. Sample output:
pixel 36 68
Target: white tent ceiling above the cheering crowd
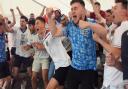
pixel 28 6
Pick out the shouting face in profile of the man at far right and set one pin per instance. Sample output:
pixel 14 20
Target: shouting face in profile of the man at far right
pixel 118 12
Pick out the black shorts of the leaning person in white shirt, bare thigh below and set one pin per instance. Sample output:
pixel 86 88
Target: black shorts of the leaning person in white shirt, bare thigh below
pixel 61 74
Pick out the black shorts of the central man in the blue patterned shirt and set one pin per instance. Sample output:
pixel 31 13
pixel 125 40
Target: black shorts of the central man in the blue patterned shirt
pixel 85 79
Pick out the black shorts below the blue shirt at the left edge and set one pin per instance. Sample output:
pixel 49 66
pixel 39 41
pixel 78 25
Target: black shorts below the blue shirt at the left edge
pixel 4 70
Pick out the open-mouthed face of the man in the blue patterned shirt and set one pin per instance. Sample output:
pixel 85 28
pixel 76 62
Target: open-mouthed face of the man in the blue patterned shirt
pixel 77 12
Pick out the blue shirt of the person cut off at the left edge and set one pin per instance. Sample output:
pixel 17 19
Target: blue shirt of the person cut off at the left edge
pixel 2 48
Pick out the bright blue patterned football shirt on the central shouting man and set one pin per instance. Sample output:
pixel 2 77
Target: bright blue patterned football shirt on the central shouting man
pixel 83 47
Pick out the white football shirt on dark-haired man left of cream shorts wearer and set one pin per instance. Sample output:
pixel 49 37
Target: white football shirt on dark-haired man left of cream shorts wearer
pixel 21 40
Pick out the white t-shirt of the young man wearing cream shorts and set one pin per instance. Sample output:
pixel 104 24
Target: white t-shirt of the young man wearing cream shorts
pixel 38 53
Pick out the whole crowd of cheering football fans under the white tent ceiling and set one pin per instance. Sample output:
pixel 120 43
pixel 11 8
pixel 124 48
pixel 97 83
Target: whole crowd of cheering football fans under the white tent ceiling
pixel 64 52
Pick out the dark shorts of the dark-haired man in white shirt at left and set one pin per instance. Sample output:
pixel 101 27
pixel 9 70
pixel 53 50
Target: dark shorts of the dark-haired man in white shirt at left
pixel 26 62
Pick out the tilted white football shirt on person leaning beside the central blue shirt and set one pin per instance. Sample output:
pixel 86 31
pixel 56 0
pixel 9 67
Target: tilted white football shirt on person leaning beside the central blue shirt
pixel 57 51
